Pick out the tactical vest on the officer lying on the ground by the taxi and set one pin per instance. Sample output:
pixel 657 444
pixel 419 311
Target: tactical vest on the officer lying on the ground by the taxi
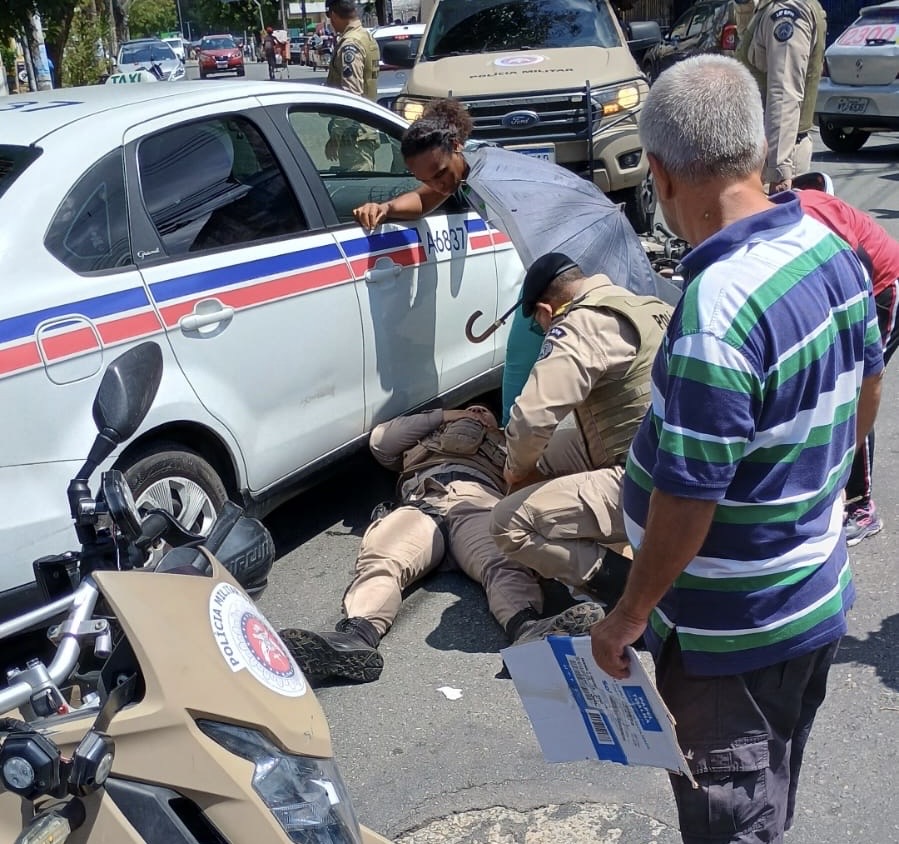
pixel 488 455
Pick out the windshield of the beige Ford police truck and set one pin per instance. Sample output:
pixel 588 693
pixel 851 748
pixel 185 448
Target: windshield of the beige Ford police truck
pixel 482 26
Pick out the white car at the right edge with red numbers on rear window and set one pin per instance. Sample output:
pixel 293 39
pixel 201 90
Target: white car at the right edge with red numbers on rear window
pixel 859 92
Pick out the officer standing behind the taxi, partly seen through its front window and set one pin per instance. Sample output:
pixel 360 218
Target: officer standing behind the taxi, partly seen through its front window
pixel 354 68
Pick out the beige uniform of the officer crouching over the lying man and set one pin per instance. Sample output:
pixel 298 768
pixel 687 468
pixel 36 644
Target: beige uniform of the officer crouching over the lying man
pixel 595 362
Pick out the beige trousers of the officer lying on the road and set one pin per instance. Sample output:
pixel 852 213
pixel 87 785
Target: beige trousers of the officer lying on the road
pixel 407 543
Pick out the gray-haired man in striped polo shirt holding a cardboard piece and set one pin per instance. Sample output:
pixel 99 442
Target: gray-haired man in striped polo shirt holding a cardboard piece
pixel 768 375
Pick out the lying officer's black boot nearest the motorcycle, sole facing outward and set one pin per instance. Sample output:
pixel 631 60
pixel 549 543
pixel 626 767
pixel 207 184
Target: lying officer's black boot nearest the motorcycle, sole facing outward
pixel 350 653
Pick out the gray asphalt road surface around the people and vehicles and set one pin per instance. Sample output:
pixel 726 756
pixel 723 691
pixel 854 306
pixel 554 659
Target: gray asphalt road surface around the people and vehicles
pixel 426 769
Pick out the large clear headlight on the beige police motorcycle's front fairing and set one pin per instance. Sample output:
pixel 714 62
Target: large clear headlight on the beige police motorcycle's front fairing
pixel 307 796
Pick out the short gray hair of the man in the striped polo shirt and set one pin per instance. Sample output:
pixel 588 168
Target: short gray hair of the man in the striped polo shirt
pixel 703 119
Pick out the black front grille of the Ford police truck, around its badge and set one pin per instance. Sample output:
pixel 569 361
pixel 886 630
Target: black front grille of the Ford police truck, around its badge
pixel 563 117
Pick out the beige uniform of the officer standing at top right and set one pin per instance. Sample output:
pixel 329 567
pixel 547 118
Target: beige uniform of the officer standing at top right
pixel 783 47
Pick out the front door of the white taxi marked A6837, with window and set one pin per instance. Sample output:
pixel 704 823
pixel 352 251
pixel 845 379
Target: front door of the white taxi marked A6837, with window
pixel 422 278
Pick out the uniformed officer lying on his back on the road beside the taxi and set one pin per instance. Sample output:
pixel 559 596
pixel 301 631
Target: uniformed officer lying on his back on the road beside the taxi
pixel 451 475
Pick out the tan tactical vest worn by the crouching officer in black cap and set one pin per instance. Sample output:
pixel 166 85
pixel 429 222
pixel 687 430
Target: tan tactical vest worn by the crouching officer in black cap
pixel 610 416
